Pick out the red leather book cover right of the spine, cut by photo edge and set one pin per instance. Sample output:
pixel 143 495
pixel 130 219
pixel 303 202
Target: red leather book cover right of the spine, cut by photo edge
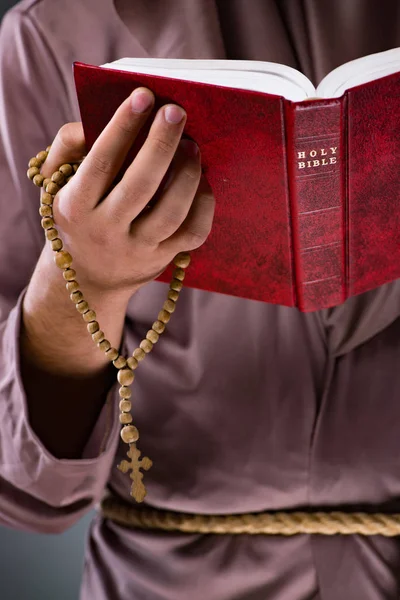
pixel 374 184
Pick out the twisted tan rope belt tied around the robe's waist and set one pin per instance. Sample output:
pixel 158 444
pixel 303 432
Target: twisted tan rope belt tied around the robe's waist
pixel 266 523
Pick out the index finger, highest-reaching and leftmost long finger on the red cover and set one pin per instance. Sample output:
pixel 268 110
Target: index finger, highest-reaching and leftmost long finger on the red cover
pixel 109 151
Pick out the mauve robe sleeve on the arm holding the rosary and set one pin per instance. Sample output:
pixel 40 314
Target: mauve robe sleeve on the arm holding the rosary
pixel 37 491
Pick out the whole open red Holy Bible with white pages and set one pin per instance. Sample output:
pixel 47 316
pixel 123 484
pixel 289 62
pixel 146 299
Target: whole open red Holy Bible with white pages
pixel 307 191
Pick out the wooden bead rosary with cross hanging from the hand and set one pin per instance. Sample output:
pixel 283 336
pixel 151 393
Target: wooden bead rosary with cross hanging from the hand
pixel 125 366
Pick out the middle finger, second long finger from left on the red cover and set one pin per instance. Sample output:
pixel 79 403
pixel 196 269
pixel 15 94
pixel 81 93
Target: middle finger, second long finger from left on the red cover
pixel 143 177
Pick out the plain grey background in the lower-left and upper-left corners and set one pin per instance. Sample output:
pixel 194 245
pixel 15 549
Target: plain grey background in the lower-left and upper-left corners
pixel 41 567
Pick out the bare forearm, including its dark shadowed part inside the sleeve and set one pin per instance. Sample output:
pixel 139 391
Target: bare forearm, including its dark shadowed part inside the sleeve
pixel 66 377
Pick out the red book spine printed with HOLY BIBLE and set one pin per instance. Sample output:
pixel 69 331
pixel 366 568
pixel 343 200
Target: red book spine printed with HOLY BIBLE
pixel 315 132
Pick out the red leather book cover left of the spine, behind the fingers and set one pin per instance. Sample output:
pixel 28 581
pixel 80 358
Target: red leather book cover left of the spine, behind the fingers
pixel 241 138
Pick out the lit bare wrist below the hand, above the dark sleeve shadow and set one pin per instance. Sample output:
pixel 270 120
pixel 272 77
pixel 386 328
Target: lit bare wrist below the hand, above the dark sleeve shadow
pixel 55 335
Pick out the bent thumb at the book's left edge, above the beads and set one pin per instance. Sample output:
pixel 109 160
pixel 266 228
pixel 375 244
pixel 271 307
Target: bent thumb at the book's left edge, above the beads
pixel 68 147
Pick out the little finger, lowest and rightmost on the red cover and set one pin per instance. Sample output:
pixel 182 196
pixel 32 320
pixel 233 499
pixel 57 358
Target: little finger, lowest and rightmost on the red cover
pixel 196 227
